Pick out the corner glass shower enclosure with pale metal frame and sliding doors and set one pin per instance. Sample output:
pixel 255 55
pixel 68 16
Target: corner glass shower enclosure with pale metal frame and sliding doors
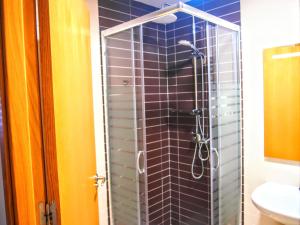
pixel 149 89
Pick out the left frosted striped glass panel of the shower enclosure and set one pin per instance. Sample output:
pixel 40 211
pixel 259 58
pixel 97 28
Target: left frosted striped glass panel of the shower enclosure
pixel 125 129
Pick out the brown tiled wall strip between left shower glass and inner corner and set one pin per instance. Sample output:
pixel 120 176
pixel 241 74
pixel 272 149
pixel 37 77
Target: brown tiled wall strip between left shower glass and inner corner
pixel 157 136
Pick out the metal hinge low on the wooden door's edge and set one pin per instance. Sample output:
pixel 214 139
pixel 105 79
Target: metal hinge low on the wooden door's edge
pixel 47 213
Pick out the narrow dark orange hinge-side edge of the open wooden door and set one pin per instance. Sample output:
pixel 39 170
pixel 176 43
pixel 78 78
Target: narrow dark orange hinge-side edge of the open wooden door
pixel 47 101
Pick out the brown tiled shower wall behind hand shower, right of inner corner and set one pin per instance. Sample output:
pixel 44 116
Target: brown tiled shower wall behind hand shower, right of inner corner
pixel 190 197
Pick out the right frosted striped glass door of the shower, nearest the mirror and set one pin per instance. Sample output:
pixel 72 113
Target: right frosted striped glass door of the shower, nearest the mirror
pixel 225 125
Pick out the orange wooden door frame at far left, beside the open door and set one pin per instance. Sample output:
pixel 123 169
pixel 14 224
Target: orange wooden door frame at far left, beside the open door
pixel 24 152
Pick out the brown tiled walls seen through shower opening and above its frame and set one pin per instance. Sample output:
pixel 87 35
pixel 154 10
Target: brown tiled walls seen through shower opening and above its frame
pixel 174 197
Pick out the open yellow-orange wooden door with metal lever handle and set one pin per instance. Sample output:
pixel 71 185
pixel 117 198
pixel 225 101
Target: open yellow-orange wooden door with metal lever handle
pixel 66 83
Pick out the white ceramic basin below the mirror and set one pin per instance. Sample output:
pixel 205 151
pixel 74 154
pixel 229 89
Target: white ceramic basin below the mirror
pixel 278 201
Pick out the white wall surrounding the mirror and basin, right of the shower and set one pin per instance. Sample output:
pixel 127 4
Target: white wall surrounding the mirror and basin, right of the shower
pixel 265 23
